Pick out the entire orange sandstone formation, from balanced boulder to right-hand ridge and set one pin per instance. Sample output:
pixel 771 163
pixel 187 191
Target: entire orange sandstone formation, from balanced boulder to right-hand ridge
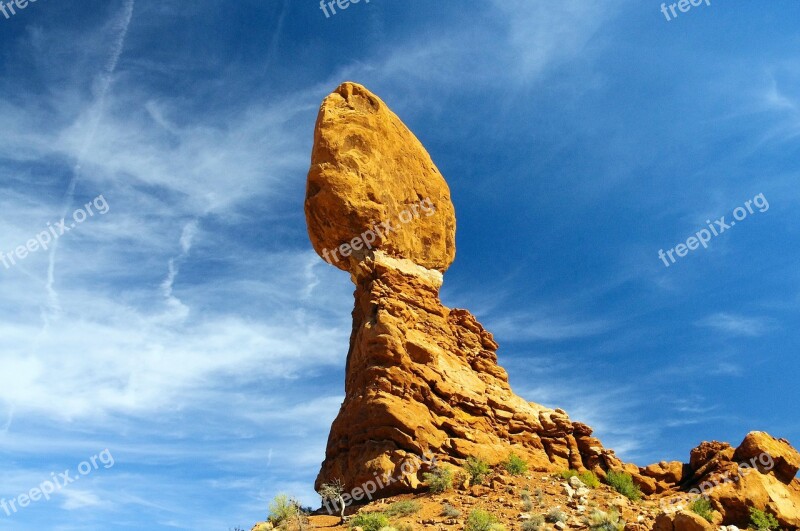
pixel 423 379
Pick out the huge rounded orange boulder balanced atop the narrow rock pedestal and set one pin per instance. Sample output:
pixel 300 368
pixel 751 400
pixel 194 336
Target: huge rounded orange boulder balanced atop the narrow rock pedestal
pixel 372 186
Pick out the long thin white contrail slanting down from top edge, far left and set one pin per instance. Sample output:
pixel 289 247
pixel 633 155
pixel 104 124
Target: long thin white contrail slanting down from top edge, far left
pixel 120 27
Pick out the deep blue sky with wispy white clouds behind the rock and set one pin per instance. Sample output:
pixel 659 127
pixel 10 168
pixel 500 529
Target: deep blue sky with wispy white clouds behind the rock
pixel 192 331
